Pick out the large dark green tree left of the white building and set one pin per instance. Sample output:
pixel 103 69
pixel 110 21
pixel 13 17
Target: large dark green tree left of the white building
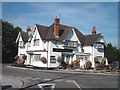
pixel 9 47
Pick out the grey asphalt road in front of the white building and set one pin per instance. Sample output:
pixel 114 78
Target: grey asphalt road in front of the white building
pixel 31 78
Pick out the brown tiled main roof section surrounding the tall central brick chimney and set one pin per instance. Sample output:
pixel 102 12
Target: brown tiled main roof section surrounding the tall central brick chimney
pixel 47 33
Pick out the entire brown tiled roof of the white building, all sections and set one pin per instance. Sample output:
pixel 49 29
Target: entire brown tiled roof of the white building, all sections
pixel 47 33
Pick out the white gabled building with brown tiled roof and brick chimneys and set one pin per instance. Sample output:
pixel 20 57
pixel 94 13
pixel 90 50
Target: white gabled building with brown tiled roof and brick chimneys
pixel 59 40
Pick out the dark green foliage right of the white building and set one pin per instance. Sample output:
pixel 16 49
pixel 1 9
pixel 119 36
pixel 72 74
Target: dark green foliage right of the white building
pixel 112 53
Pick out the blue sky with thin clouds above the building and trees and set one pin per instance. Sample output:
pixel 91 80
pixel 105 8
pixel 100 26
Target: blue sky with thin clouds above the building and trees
pixel 82 15
